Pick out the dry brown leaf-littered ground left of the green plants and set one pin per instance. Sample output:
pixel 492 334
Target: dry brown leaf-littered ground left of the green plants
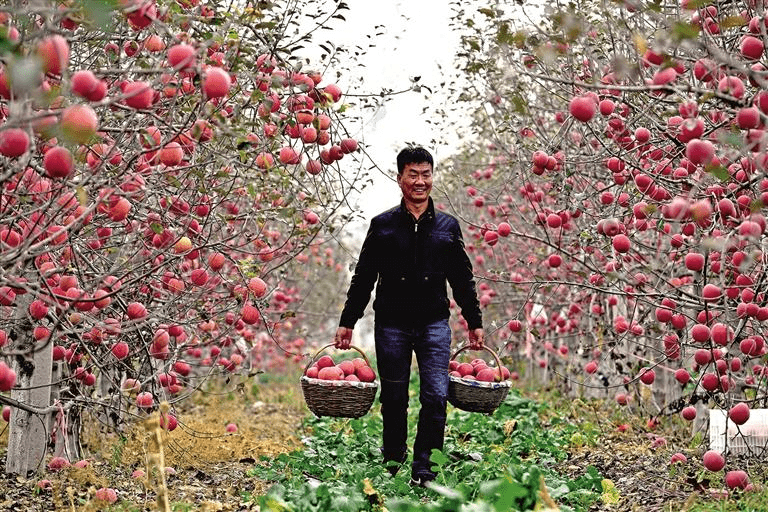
pixel 205 465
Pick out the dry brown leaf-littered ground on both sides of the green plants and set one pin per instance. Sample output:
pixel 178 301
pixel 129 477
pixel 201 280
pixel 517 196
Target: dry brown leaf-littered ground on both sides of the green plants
pixel 206 466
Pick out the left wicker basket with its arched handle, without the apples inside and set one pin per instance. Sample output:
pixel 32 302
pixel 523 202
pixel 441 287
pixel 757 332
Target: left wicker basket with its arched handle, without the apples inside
pixel 337 398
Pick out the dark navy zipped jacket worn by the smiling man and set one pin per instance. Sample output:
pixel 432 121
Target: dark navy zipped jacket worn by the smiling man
pixel 410 263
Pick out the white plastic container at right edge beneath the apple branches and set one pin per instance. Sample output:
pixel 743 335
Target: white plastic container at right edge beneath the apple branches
pixel 751 438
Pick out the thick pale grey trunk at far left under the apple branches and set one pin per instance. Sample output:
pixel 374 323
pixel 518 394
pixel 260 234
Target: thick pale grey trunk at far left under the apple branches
pixel 28 436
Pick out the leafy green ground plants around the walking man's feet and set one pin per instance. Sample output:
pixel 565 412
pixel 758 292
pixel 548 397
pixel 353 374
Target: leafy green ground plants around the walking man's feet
pixel 496 462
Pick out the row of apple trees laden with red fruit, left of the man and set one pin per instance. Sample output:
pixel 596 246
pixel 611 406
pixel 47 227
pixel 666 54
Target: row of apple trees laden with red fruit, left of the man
pixel 163 166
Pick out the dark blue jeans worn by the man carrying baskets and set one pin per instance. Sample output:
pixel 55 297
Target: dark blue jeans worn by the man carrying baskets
pixel 394 349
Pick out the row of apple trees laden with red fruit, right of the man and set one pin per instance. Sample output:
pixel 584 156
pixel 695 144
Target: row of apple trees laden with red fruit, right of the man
pixel 615 186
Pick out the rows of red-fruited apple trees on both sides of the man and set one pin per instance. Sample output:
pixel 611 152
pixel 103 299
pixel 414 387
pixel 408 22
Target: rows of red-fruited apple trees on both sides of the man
pixel 163 171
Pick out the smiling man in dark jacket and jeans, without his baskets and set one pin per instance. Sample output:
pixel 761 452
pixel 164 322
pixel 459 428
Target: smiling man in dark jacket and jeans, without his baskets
pixel 410 252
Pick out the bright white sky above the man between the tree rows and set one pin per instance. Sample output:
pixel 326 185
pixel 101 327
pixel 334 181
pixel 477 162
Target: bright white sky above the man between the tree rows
pixel 417 41
